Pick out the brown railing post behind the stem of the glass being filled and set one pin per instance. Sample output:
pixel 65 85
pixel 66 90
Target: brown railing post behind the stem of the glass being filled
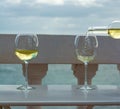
pixel 78 71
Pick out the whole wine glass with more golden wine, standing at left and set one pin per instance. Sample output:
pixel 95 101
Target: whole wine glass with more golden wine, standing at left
pixel 26 49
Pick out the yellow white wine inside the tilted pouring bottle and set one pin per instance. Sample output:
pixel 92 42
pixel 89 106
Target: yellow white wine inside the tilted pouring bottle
pixel 114 33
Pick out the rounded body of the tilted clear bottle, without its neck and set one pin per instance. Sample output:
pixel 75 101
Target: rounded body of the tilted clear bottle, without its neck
pixel 114 29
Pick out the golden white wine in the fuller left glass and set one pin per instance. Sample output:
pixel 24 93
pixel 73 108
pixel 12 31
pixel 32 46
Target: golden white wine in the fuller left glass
pixel 24 54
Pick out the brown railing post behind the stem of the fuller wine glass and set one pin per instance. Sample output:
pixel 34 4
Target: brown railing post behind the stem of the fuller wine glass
pixel 36 73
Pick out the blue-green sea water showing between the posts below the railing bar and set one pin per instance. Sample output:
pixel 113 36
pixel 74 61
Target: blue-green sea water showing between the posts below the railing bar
pixel 61 74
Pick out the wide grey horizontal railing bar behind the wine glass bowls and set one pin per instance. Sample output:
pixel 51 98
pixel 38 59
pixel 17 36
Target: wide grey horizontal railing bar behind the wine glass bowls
pixel 60 49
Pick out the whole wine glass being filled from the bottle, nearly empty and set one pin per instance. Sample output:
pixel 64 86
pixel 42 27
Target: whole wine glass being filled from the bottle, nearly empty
pixel 85 47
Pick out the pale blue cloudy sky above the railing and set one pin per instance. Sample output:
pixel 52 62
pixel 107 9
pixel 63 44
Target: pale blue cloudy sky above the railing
pixel 56 16
